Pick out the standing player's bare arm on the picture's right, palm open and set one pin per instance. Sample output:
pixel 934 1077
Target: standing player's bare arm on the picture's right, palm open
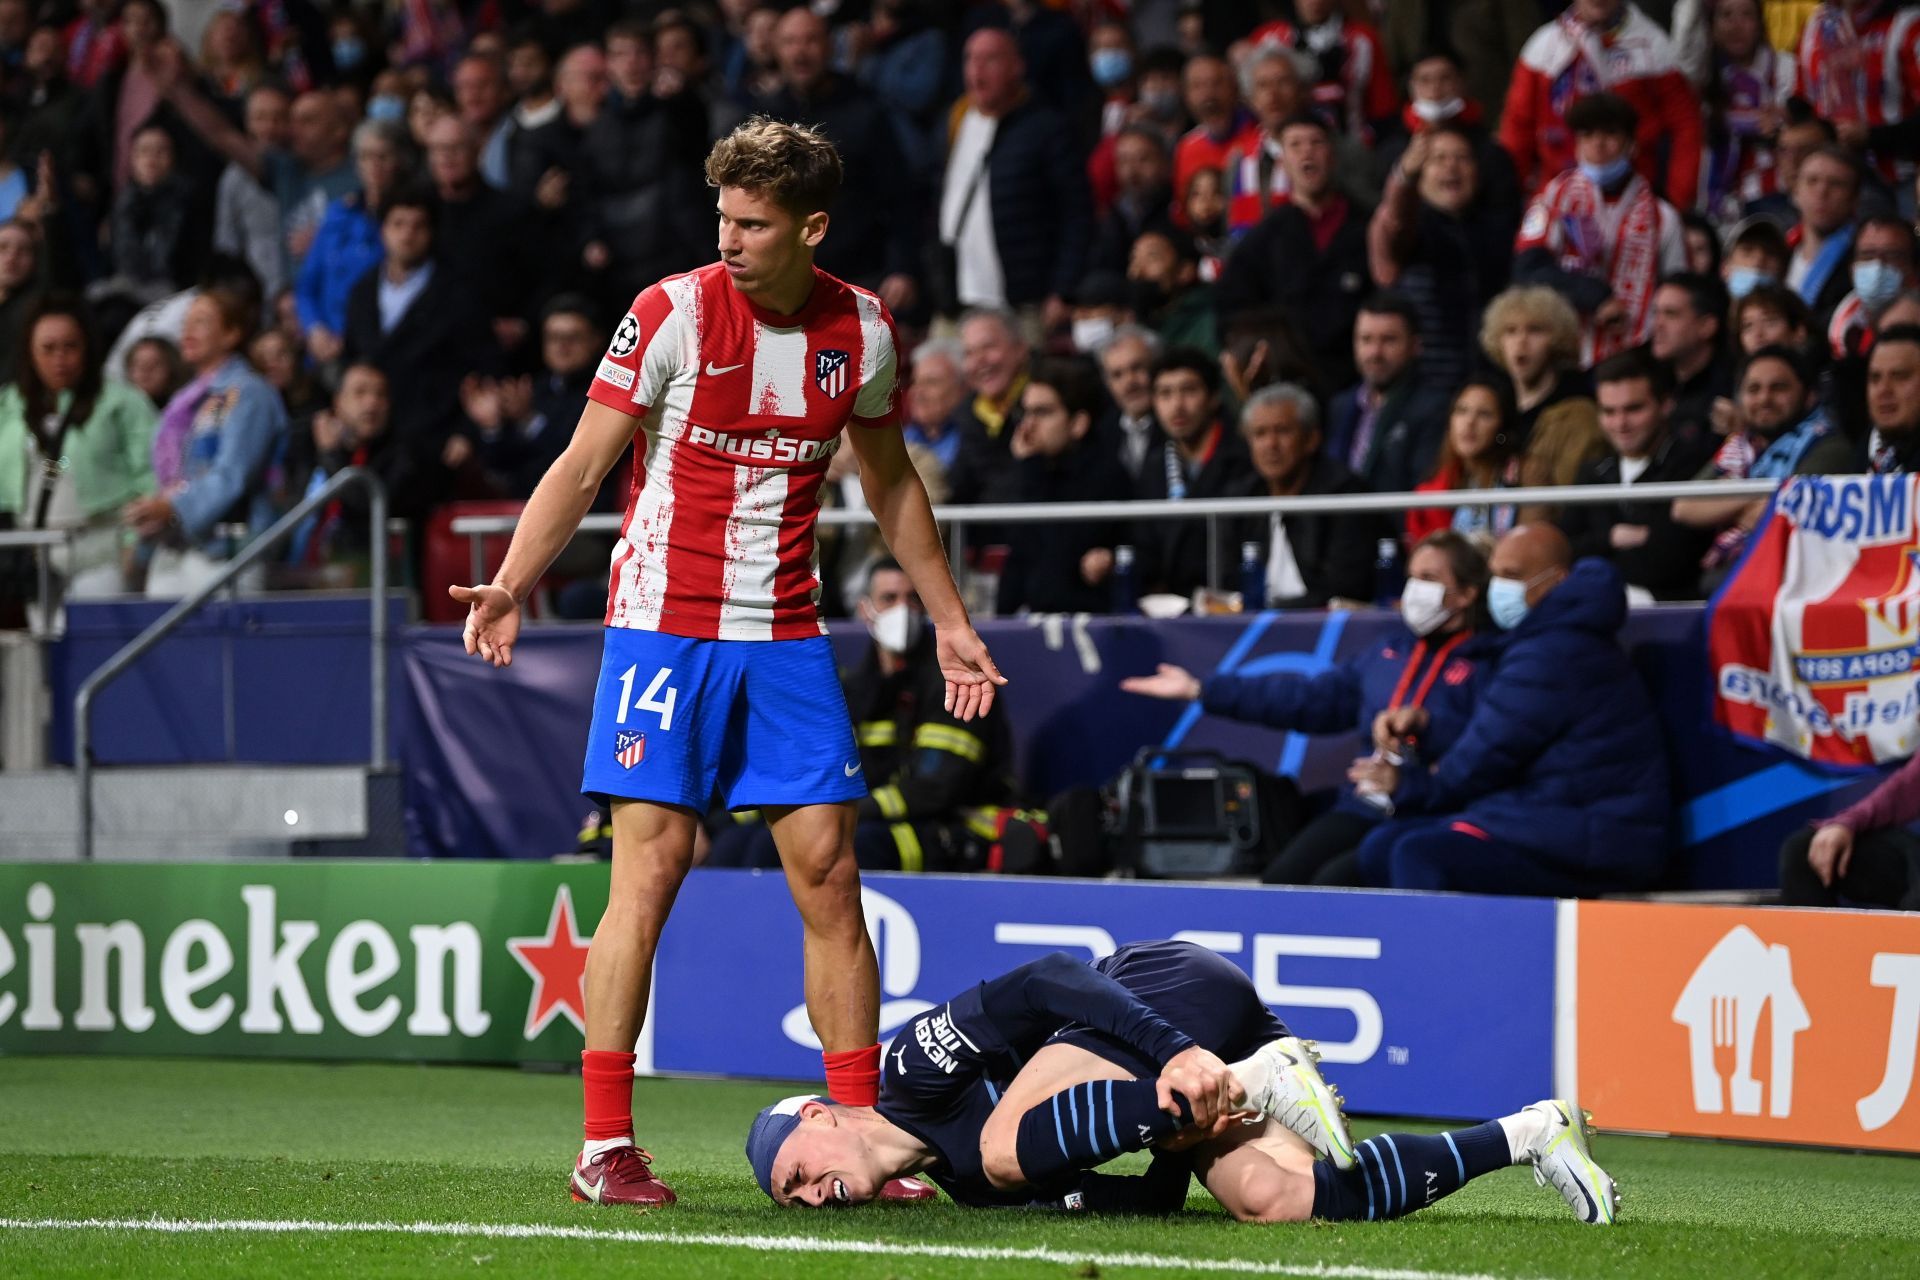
pixel 905 517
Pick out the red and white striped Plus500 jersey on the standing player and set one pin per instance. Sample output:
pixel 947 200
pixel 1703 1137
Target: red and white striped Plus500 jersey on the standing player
pixel 740 412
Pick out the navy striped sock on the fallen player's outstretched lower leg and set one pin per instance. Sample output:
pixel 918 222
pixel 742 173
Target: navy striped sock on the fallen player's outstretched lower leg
pixel 1401 1173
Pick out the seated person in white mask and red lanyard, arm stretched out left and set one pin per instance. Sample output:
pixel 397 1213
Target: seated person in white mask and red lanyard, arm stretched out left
pixel 1439 665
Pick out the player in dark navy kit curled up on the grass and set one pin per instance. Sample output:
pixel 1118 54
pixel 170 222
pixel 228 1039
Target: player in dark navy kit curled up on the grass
pixel 1015 1091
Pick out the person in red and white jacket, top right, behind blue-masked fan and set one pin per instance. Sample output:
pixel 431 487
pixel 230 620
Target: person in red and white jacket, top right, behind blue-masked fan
pixel 1604 47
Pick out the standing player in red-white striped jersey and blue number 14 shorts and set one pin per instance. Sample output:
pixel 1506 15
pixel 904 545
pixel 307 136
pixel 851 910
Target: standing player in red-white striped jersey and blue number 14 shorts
pixel 717 675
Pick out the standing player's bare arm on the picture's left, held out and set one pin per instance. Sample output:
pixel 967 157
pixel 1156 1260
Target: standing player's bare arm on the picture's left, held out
pixel 546 527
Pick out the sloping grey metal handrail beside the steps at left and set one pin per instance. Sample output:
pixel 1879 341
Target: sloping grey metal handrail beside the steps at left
pixel 247 557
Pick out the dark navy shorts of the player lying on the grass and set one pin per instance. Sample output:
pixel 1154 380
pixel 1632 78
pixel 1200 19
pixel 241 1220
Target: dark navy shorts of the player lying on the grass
pixel 1197 991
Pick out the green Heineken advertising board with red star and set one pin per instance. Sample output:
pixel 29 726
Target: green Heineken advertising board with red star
pixel 441 962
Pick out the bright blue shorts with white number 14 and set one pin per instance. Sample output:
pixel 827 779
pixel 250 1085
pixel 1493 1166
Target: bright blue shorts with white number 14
pixel 757 723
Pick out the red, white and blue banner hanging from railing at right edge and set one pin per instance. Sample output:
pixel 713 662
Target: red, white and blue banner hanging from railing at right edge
pixel 1815 640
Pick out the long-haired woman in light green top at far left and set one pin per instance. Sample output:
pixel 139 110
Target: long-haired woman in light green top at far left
pixel 74 448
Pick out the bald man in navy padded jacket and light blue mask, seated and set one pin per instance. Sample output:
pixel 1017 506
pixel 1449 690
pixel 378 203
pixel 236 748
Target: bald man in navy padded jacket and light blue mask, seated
pixel 1558 784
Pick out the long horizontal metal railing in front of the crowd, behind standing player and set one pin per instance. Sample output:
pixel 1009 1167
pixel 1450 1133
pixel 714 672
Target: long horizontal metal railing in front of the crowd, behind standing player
pixel 1211 510
